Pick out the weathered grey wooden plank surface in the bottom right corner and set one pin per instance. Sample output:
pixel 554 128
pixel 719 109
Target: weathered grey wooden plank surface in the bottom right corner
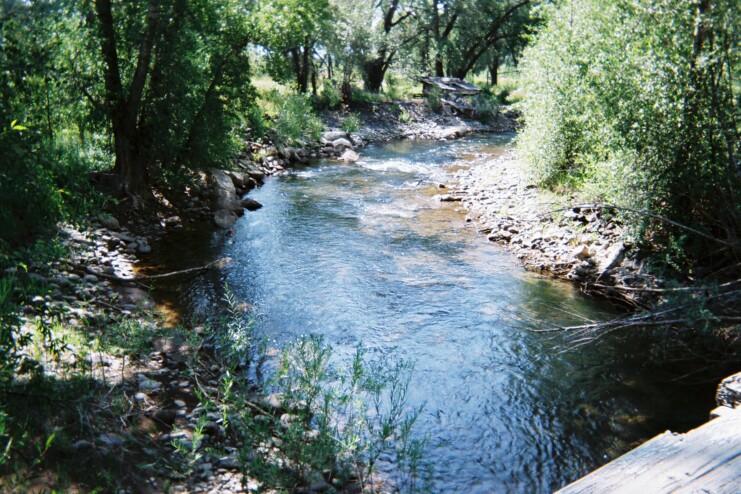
pixel 704 460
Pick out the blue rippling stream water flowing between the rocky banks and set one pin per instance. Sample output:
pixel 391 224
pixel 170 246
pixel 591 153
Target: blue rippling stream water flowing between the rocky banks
pixel 363 253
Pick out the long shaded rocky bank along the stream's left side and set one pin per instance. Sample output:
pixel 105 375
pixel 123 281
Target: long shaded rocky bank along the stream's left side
pixel 161 423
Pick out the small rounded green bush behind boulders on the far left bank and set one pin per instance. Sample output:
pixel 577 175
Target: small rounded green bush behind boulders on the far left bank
pixel 296 121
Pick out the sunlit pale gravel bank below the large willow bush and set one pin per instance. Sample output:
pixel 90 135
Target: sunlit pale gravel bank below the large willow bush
pixel 554 234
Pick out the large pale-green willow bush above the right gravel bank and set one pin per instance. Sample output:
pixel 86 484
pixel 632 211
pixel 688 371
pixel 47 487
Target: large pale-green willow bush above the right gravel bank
pixel 633 102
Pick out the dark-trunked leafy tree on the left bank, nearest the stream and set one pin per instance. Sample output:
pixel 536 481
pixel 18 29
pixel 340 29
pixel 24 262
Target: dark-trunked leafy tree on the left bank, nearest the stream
pixel 170 68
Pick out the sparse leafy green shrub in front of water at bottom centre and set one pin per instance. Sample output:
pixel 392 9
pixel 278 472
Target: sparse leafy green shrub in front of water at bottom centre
pixel 339 422
